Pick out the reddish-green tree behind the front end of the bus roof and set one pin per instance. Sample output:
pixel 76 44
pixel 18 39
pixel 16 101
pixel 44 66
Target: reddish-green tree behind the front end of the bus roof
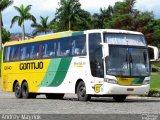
pixel 123 15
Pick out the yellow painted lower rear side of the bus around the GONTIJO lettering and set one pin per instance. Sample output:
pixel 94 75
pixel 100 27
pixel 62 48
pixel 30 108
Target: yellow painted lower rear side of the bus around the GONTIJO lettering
pixel 33 77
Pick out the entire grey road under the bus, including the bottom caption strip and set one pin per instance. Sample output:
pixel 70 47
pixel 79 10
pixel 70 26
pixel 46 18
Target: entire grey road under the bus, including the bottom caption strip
pixel 73 109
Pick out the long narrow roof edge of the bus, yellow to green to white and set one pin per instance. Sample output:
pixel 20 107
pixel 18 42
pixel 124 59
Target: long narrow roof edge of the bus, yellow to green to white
pixel 70 33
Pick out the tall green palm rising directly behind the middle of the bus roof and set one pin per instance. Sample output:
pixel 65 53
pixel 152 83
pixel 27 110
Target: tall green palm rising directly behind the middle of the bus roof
pixel 67 13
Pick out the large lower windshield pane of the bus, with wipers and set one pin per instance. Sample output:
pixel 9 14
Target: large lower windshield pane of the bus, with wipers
pixel 127 61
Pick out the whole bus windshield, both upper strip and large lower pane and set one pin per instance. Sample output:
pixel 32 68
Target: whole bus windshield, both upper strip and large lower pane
pixel 127 60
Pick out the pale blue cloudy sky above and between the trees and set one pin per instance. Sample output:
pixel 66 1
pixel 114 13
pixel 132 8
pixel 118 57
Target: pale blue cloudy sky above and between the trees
pixel 48 8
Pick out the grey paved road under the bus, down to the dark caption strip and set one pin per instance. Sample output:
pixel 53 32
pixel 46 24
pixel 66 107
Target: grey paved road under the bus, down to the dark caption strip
pixel 70 105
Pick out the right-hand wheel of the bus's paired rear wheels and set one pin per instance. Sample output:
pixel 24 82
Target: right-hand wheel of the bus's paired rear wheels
pixel 25 91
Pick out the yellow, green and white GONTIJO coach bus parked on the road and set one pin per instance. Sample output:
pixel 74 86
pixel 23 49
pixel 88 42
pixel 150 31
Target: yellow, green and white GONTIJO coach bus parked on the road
pixel 91 63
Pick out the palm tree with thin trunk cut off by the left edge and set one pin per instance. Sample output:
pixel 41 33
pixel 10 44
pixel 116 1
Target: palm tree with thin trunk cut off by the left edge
pixel 3 5
